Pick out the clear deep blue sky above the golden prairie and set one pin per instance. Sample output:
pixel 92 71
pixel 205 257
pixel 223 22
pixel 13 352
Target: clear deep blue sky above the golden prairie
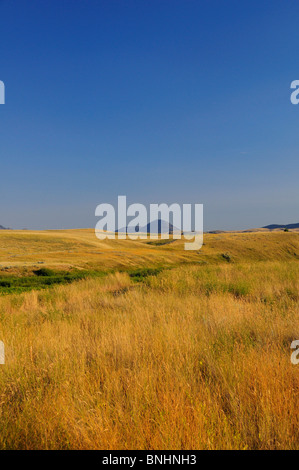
pixel 161 100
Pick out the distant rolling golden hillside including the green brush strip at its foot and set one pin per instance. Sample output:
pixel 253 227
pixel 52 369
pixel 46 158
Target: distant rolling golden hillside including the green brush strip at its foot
pixel 76 254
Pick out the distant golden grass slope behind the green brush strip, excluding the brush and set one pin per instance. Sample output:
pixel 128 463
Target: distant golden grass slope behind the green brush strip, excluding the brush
pixel 63 249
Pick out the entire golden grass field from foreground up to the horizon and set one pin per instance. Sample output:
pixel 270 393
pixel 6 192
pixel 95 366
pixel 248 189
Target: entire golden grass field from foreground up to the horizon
pixel 155 348
